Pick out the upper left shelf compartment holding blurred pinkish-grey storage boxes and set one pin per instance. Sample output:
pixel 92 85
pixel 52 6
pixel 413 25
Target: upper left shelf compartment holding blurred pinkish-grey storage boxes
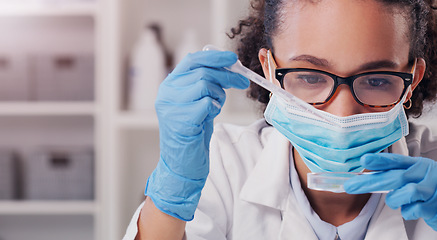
pixel 59 66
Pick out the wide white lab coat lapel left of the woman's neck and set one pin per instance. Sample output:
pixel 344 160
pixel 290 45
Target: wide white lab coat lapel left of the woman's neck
pixel 269 182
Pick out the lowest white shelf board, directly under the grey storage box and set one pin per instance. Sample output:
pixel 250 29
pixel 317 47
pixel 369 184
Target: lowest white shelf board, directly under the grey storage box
pixel 47 207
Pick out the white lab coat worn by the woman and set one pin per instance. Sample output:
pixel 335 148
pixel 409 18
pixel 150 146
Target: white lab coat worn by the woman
pixel 248 195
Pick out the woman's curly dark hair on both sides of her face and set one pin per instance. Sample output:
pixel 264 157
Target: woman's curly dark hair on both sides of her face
pixel 254 33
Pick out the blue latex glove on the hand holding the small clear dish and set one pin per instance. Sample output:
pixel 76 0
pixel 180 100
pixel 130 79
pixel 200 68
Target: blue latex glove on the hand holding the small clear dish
pixel 413 181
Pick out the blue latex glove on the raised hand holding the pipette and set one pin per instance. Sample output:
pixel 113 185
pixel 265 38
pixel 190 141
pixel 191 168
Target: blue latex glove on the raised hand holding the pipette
pixel 188 101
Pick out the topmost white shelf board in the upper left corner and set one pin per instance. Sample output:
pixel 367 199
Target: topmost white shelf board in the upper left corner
pixel 46 9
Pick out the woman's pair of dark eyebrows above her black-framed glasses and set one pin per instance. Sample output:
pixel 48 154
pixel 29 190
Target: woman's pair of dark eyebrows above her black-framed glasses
pixel 321 62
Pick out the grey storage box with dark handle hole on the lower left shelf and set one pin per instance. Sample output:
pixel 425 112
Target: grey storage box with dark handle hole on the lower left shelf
pixel 54 173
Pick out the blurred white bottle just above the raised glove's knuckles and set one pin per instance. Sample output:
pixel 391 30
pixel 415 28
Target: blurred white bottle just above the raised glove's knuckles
pixel 188 44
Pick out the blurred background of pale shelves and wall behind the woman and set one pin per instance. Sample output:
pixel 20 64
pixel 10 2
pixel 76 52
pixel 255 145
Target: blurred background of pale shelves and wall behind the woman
pixel 78 78
